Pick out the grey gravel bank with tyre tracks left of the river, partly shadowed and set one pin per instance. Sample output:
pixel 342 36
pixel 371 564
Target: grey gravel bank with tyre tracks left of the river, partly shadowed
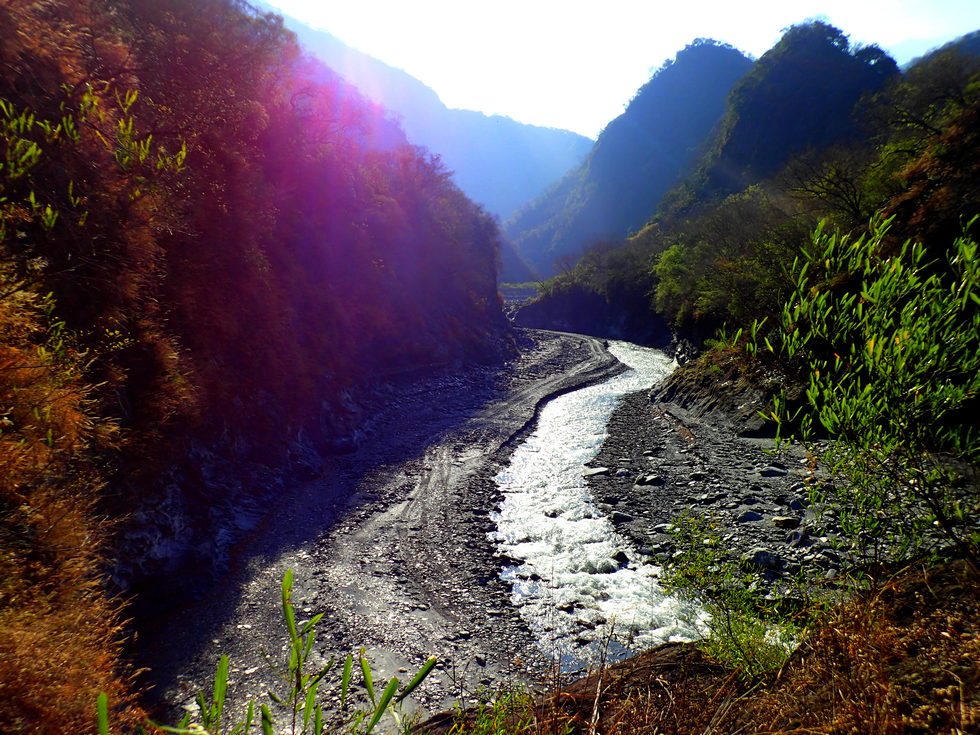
pixel 390 543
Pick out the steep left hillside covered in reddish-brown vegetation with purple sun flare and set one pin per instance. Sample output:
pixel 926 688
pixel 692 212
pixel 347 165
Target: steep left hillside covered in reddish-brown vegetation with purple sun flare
pixel 203 236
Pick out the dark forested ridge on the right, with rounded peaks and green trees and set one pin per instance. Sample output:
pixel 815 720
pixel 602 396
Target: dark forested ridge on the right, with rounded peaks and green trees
pixel 720 247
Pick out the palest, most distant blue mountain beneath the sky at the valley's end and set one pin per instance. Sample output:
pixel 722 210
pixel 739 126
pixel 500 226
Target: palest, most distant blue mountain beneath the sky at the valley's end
pixel 498 162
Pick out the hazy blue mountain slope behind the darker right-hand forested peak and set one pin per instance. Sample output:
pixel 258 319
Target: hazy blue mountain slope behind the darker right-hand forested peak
pixel 637 158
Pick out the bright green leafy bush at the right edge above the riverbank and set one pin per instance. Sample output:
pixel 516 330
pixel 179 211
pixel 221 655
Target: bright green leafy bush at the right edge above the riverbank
pixel 889 350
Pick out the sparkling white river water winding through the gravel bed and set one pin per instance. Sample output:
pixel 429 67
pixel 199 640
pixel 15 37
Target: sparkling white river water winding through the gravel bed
pixel 583 589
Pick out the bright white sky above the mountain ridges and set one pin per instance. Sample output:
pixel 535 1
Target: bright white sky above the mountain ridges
pixel 575 64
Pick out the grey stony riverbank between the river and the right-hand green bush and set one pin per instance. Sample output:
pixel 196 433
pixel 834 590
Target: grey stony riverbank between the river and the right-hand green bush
pixel 677 451
